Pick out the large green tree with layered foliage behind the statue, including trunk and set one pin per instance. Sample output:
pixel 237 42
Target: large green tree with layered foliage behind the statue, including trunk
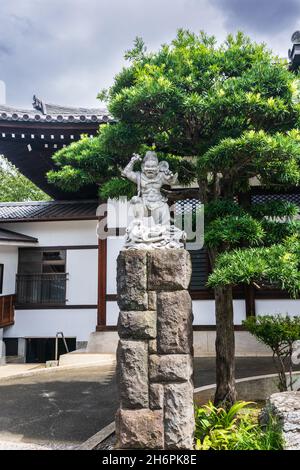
pixel 223 116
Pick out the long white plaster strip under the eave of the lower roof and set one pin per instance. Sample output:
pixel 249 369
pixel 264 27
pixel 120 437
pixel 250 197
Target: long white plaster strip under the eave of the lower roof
pixel 73 232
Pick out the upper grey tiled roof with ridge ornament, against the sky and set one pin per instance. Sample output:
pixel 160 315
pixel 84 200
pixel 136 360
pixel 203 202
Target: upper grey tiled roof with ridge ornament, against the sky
pixel 54 113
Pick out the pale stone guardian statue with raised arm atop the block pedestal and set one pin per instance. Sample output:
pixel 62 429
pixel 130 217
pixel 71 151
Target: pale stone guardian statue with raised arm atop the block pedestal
pixel 151 226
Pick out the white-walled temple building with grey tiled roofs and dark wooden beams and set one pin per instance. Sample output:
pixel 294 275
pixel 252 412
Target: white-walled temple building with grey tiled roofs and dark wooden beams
pixel 56 276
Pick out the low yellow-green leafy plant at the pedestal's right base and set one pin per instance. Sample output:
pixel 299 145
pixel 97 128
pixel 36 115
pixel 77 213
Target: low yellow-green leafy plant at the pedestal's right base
pixel 235 429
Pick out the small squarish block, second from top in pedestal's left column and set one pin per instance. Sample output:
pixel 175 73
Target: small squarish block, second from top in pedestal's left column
pixel 137 324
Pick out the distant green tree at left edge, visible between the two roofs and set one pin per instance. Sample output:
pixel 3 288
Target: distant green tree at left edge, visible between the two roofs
pixel 16 187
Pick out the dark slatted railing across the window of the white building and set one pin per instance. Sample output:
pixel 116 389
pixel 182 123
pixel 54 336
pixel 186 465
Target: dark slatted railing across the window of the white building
pixel 41 289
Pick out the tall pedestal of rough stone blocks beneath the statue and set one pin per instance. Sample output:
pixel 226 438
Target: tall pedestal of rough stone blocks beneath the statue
pixel 154 358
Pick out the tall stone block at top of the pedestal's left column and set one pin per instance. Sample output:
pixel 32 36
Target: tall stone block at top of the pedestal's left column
pixel 132 280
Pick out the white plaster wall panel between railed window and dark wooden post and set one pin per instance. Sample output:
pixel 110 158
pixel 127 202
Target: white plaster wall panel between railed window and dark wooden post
pixel 82 267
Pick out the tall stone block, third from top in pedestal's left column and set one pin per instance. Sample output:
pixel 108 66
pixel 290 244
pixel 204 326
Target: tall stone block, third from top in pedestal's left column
pixel 132 374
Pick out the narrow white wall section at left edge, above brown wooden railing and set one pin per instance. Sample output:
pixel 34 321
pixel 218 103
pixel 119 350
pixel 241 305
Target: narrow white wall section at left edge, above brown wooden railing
pixel 9 257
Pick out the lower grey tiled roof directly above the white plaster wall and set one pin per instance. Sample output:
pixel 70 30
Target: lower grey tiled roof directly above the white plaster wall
pixel 53 210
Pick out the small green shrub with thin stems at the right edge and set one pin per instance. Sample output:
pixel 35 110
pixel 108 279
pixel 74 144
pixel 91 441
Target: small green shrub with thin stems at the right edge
pixel 278 333
